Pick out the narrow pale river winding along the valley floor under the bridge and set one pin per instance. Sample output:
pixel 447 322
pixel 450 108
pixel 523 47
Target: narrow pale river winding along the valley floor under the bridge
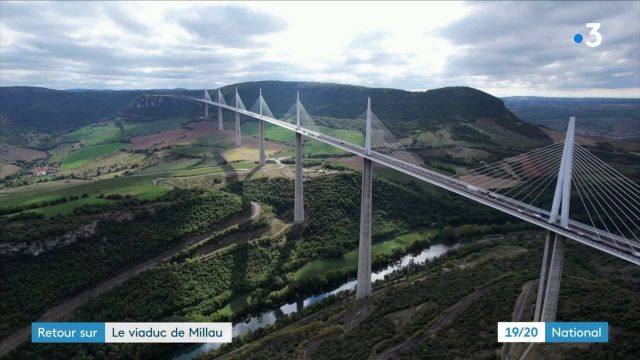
pixel 270 317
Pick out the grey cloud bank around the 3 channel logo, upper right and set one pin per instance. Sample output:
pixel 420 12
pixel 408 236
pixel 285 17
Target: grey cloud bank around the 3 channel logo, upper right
pixel 531 43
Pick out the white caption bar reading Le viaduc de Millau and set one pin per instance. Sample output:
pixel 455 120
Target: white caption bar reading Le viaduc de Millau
pixel 177 332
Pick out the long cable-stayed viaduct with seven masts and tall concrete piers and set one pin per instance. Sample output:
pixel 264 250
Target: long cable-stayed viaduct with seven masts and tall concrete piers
pixel 606 213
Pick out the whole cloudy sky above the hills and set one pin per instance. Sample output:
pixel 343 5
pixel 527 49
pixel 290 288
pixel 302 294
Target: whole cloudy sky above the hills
pixel 503 48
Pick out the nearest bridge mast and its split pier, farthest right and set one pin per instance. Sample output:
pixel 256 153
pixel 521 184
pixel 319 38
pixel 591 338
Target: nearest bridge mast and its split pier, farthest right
pixel 554 246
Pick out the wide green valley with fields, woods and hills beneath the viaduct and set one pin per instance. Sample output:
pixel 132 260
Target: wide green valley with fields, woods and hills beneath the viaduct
pixel 163 200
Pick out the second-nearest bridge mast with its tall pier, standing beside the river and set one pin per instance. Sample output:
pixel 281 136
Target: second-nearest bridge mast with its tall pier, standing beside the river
pixel 363 288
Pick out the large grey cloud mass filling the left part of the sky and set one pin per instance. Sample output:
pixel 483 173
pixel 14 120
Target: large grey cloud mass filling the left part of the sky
pixel 72 45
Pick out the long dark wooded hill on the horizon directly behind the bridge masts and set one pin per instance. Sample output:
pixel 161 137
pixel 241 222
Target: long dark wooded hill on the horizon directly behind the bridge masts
pixel 466 113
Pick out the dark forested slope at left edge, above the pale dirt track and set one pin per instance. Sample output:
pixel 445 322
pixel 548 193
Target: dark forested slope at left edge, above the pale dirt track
pixel 136 231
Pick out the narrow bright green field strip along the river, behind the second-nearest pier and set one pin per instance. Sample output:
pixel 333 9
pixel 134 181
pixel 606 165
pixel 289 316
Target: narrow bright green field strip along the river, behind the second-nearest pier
pixel 349 259
